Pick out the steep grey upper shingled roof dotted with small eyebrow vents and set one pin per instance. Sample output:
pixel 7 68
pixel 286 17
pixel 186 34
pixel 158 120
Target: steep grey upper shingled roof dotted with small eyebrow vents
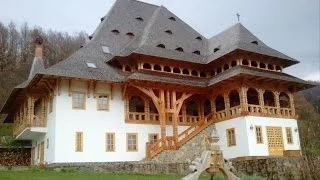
pixel 147 25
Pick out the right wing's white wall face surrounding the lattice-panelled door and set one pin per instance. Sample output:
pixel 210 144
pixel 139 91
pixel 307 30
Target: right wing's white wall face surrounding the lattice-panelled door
pixel 262 149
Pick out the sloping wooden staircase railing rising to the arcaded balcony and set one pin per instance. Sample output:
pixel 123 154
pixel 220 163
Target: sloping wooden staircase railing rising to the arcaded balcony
pixel 172 143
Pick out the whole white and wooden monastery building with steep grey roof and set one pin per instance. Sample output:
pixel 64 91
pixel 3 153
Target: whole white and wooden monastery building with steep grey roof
pixel 146 82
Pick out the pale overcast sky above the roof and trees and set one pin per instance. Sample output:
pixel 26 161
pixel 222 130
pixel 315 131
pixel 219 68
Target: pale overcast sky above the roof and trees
pixel 289 26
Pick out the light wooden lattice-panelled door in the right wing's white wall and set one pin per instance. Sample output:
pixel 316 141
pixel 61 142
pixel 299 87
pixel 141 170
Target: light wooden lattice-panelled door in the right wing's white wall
pixel 275 141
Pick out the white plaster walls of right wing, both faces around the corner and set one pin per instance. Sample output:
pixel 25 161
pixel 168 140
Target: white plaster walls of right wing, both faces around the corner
pixel 246 144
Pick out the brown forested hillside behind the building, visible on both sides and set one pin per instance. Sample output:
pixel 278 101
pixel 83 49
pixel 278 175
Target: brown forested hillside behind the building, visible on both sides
pixel 17 52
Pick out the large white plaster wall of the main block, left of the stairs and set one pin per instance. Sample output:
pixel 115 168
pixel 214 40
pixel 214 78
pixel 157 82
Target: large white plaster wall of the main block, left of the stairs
pixel 94 124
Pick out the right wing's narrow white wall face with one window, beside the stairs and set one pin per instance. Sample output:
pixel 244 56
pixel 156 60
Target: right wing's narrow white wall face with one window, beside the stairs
pixel 240 126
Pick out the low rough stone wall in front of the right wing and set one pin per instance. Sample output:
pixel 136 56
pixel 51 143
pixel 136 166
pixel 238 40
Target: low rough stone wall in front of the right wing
pixel 284 168
